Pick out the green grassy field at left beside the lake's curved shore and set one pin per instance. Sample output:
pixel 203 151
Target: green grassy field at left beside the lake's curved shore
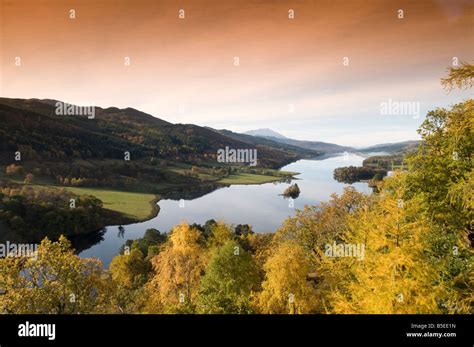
pixel 136 205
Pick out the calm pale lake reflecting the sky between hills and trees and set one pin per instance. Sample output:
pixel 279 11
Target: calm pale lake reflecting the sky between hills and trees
pixel 261 206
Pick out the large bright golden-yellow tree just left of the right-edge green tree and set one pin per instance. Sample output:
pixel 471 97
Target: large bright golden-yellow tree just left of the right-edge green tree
pixel 394 274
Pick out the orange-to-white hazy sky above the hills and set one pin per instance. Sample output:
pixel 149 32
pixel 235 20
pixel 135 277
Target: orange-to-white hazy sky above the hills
pixel 323 75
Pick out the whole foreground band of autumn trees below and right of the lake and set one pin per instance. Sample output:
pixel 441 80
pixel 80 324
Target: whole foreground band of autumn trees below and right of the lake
pixel 412 250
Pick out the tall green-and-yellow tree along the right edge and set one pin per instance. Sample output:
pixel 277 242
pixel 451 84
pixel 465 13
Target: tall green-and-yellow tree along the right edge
pixel 441 177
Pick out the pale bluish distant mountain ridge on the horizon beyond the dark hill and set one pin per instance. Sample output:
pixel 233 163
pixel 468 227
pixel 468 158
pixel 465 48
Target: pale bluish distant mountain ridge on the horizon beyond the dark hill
pixel 323 147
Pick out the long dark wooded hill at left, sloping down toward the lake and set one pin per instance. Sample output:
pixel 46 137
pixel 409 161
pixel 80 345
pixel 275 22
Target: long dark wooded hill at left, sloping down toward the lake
pixel 79 151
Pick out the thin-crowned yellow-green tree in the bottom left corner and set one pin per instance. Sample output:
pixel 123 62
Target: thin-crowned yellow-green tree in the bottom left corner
pixel 54 281
